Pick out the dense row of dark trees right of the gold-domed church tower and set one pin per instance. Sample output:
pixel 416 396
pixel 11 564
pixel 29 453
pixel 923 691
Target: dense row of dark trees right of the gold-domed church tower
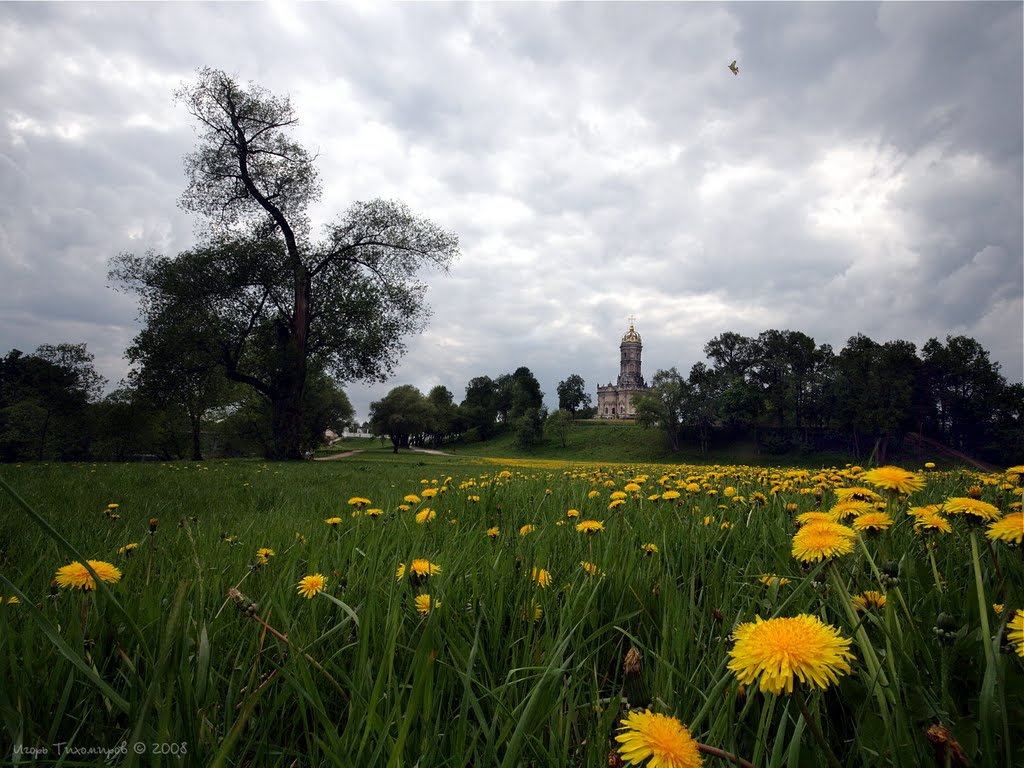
pixel 787 393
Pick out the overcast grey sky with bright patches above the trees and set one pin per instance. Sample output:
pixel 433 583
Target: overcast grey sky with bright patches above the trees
pixel 862 175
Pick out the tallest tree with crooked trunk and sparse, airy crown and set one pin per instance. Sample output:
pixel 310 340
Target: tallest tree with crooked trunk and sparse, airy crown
pixel 280 303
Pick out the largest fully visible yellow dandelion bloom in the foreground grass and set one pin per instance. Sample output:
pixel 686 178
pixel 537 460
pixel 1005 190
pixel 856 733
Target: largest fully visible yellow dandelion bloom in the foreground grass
pixel 781 650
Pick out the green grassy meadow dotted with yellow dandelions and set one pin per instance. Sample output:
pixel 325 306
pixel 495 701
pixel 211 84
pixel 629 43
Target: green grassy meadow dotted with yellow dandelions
pixel 433 612
